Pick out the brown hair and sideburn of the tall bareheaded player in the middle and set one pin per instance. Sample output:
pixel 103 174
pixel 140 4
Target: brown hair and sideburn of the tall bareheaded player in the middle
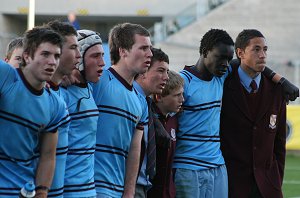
pixel 122 36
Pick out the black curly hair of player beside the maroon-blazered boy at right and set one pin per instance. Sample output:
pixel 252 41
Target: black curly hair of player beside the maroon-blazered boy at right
pixel 212 38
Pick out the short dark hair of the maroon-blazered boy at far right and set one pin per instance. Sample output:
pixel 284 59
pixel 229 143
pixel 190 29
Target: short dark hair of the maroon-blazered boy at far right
pixel 244 37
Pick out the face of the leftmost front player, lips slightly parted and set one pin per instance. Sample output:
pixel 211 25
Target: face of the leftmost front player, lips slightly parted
pixel 42 65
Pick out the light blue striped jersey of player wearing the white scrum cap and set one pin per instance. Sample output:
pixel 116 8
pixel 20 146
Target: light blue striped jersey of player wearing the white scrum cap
pixel 79 175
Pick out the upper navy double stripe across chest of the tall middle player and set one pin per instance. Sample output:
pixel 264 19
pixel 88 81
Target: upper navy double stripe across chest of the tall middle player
pixel 118 111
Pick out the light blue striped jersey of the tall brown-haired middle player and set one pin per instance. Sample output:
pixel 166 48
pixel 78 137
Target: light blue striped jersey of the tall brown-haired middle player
pixel 121 112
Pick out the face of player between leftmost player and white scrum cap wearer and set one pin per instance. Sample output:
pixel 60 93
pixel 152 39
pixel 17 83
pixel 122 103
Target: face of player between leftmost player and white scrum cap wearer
pixel 70 55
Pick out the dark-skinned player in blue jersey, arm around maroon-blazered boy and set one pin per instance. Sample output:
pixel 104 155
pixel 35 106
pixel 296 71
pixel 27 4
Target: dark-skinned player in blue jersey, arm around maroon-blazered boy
pixel 198 151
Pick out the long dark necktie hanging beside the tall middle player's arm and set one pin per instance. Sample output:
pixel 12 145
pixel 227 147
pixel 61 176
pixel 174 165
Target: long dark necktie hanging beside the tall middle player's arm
pixel 151 147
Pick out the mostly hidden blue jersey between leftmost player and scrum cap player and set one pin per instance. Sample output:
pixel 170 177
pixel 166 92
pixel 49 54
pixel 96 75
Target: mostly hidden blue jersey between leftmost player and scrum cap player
pixel 57 187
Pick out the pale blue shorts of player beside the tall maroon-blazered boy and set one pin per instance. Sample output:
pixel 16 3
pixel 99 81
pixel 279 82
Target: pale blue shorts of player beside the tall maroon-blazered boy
pixel 210 183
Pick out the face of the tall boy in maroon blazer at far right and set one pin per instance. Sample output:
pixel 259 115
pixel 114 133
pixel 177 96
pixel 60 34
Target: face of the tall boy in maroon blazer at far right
pixel 253 57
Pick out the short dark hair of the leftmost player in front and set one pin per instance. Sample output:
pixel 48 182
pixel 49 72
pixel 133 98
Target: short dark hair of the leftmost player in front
pixel 35 37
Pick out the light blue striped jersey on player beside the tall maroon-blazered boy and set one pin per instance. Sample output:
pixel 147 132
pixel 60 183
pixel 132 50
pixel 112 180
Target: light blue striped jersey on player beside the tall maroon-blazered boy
pixel 198 139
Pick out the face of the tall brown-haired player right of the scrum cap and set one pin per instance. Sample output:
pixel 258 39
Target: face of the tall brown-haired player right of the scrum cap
pixel 138 58
